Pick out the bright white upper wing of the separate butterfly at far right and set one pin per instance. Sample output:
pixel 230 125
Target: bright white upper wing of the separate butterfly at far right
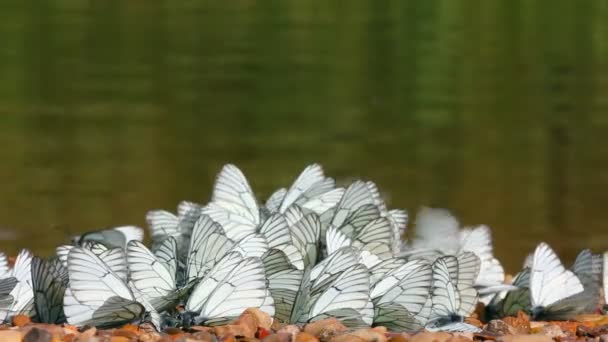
pixel 549 279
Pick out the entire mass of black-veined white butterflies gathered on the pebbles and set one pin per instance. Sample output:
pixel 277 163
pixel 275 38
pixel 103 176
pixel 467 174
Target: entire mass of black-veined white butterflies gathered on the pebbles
pixel 312 251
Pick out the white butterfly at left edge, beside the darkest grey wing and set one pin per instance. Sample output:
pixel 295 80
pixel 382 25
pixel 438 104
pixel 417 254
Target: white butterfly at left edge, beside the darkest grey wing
pixel 22 294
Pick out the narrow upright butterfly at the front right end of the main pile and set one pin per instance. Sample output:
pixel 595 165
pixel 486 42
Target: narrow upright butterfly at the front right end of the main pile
pixel 453 296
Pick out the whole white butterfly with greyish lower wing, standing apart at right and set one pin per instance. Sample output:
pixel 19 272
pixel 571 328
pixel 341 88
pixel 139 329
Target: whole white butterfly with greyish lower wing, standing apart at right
pixel 552 287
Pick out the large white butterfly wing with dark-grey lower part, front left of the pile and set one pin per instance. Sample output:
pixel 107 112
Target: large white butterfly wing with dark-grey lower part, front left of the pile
pixel 96 295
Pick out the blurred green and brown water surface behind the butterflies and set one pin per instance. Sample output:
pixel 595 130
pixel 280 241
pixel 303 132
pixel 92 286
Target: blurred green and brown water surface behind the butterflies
pixel 496 110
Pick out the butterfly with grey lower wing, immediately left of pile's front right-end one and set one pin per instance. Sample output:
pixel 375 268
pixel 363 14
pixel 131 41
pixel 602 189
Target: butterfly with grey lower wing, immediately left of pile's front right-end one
pixel 400 297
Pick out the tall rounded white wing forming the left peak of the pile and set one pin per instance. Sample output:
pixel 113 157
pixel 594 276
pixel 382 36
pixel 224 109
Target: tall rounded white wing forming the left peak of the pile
pixel 233 203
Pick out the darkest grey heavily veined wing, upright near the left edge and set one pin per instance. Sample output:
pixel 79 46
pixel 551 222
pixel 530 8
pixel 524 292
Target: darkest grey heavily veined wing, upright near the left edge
pixel 49 281
